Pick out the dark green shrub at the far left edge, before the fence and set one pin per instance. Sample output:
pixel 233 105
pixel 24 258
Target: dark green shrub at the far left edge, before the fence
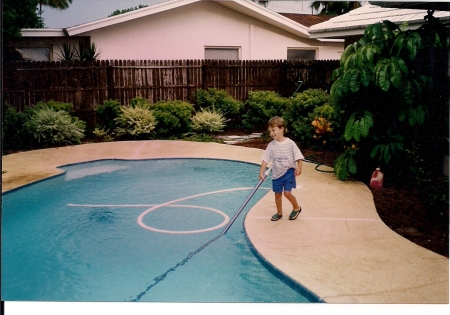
pixel 14 134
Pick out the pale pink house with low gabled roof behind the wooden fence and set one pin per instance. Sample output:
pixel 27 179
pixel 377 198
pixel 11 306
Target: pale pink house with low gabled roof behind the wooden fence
pixel 187 29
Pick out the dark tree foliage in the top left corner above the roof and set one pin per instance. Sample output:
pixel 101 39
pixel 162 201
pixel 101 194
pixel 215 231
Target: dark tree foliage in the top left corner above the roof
pixel 18 15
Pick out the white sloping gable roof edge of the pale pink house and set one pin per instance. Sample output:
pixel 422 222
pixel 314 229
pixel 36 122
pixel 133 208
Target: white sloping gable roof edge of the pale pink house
pixel 245 7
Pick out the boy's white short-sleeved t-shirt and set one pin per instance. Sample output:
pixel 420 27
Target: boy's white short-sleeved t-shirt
pixel 283 156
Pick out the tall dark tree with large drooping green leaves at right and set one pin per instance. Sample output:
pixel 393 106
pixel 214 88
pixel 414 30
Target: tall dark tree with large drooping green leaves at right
pixel 390 93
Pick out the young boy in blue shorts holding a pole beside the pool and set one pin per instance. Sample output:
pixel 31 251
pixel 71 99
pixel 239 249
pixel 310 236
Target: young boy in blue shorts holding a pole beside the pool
pixel 286 161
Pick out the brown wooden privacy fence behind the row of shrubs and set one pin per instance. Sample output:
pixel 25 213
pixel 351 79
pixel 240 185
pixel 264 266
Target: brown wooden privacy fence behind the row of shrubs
pixel 86 85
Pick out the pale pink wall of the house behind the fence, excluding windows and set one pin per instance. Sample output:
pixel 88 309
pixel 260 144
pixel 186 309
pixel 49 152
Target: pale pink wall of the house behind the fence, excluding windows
pixel 183 33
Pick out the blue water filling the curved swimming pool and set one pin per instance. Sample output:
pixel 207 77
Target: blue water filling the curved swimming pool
pixel 118 230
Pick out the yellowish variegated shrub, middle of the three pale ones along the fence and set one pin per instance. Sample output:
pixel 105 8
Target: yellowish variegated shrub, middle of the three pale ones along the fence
pixel 135 122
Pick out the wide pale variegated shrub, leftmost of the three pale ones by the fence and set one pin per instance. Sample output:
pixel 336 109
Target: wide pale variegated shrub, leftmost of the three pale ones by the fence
pixel 49 126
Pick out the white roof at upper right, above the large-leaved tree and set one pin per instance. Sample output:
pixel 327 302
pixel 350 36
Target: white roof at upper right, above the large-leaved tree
pixel 356 21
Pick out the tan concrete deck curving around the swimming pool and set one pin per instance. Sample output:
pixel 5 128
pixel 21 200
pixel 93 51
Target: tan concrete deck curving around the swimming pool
pixel 338 248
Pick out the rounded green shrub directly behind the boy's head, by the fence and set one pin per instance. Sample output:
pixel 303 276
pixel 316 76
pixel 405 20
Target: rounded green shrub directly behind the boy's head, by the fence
pixel 260 107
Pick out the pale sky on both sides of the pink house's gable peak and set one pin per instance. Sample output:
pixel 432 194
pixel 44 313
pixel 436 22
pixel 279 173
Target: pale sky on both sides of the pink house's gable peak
pixel 83 11
